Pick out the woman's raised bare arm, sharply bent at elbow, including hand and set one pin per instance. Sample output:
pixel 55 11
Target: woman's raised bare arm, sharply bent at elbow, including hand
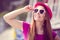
pixel 10 17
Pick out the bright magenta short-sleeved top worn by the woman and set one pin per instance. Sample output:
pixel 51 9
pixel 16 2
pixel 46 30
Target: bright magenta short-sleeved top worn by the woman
pixel 26 28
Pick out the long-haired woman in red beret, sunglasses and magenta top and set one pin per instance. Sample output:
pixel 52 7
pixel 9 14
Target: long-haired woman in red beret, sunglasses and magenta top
pixel 40 28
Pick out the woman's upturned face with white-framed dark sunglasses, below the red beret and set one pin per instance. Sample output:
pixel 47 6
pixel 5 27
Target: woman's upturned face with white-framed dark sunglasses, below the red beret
pixel 39 13
